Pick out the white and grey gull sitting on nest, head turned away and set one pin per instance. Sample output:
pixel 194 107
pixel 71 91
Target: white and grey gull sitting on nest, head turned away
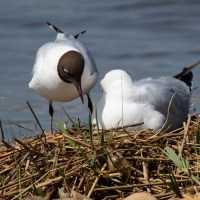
pixel 159 103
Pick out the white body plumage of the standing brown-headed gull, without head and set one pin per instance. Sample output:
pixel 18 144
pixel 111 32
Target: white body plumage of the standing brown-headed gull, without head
pixel 45 79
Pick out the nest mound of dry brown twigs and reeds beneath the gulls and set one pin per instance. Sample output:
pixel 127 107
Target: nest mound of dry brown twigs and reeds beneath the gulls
pixel 114 165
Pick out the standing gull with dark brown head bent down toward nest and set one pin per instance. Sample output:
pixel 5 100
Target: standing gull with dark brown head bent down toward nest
pixel 63 70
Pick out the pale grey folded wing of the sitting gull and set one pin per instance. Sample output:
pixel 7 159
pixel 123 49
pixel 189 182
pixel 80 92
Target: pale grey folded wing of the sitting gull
pixel 164 94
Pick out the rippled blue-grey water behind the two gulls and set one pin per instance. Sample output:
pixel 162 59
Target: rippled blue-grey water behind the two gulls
pixel 146 38
